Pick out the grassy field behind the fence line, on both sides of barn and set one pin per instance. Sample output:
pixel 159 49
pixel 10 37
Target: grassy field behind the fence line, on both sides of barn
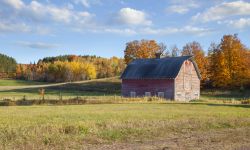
pixel 96 88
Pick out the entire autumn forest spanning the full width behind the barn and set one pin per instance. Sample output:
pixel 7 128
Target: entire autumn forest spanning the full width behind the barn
pixel 223 65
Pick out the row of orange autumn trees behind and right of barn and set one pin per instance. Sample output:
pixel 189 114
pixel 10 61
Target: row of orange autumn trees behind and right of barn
pixel 225 65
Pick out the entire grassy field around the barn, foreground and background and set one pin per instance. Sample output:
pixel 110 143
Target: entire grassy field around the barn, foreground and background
pixel 210 123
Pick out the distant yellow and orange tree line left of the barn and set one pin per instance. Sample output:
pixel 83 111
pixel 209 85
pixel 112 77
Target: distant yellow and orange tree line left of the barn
pixel 70 68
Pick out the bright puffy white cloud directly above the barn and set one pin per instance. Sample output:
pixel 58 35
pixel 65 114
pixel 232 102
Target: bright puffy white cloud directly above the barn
pixel 129 16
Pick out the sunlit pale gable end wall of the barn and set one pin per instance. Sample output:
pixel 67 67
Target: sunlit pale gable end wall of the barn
pixel 187 83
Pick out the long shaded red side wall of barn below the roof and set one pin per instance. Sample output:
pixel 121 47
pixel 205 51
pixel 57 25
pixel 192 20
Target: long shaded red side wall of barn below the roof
pixel 148 85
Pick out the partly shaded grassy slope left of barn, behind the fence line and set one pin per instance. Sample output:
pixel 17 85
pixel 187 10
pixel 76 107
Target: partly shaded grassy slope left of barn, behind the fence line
pixel 105 87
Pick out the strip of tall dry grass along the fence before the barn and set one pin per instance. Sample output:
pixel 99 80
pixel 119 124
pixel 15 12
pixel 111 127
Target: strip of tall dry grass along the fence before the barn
pixel 81 100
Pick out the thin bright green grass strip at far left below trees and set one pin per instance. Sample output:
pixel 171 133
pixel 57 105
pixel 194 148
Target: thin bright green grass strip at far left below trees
pixel 19 82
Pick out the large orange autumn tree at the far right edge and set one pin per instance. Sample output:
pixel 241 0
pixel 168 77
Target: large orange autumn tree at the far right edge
pixel 229 63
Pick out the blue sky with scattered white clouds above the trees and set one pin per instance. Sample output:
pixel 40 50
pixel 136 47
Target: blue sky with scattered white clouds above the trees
pixel 32 29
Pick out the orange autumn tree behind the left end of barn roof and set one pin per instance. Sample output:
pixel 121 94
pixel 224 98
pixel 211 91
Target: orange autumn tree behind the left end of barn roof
pixel 142 49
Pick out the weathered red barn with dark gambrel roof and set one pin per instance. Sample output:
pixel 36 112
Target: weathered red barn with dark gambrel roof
pixel 175 78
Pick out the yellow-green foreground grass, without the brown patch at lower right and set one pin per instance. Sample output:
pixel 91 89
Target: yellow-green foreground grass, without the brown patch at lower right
pixel 74 127
